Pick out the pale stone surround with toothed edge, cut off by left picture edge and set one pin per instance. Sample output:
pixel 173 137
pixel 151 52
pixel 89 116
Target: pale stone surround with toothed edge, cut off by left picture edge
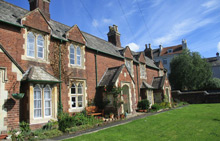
pixel 3 97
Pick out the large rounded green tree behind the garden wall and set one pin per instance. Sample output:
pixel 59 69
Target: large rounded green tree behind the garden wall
pixel 189 71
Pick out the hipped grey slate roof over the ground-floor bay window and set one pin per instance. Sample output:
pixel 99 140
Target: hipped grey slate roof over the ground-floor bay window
pixel 35 73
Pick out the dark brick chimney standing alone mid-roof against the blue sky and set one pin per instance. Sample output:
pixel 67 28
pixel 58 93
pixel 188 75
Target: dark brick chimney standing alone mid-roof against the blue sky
pixel 114 36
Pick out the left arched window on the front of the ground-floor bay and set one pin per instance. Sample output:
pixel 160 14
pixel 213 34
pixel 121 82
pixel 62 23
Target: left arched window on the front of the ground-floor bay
pixel 37 102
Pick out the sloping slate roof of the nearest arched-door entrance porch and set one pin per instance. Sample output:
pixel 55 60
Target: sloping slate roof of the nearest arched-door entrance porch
pixel 111 76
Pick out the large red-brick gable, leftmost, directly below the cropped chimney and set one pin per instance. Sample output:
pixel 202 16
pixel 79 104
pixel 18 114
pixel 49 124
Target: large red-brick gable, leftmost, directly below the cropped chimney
pixel 36 20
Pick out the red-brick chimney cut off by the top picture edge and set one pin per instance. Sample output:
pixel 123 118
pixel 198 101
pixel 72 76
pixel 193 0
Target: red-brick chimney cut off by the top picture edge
pixel 43 5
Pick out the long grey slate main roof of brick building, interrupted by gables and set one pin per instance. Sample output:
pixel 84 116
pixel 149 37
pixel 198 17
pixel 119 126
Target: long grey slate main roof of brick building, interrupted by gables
pixel 12 14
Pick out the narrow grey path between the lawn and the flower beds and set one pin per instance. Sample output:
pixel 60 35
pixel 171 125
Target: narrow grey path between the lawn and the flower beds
pixel 105 126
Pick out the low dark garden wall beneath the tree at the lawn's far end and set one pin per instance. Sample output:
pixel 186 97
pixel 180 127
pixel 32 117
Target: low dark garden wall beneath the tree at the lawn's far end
pixel 196 97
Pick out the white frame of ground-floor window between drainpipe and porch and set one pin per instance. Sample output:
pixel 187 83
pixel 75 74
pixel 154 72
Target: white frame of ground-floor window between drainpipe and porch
pixel 77 95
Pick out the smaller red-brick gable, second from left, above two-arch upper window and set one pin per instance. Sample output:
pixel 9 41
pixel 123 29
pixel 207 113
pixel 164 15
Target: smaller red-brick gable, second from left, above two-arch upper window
pixel 75 34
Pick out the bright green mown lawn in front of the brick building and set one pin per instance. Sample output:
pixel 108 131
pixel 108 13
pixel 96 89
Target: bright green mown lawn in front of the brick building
pixel 194 122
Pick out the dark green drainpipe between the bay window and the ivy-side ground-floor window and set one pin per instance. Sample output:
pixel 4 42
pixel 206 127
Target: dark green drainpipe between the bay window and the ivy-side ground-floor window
pixel 60 108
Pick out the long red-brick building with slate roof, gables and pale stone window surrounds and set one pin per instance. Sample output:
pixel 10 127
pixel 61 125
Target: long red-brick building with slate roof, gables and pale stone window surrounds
pixel 54 64
